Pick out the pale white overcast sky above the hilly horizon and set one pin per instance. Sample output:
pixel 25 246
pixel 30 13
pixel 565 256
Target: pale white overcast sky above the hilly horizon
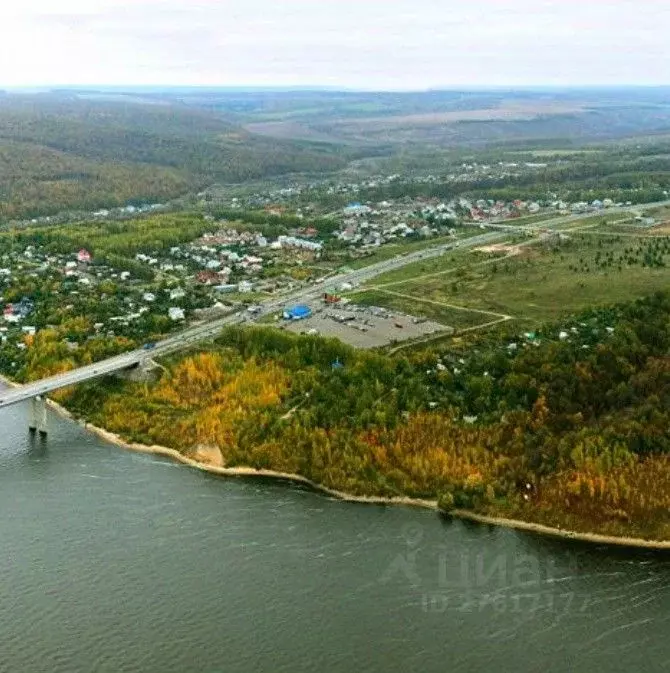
pixel 372 44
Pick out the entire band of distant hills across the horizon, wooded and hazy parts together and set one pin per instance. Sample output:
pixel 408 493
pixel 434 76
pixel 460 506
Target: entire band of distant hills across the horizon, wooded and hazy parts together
pixel 95 148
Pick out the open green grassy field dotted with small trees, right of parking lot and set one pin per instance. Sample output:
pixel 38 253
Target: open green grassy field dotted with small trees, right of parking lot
pixel 540 282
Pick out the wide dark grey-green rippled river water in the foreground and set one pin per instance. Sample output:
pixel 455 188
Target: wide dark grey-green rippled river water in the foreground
pixel 118 562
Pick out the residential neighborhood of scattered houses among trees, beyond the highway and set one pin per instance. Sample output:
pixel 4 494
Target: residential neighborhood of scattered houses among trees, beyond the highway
pixel 262 244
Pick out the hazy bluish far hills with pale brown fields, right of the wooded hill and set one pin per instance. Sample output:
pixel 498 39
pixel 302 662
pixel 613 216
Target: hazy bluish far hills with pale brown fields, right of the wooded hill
pixel 458 119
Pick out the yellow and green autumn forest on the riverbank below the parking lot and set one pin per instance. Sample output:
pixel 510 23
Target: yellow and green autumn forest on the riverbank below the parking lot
pixel 566 432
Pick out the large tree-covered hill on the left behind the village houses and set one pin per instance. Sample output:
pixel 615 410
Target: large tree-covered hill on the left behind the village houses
pixel 59 152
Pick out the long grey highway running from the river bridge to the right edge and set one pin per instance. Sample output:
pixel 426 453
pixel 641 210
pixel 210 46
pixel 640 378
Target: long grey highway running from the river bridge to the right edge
pixel 201 332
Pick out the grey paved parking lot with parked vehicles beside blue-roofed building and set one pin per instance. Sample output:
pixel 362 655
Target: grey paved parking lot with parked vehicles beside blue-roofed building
pixel 363 326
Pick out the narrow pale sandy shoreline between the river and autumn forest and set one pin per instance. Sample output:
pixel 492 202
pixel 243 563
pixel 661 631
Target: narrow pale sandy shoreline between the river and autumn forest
pixel 516 524
